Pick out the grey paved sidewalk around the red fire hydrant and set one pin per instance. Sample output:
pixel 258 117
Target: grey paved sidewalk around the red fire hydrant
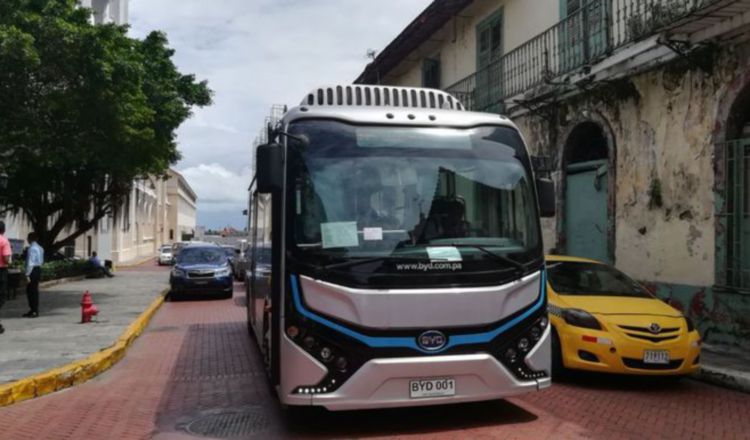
pixel 56 337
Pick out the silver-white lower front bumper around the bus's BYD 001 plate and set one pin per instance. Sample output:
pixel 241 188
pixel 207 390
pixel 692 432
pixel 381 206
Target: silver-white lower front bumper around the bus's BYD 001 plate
pixel 385 382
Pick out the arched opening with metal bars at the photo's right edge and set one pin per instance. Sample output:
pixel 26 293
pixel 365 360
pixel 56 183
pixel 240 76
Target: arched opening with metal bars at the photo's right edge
pixel 733 198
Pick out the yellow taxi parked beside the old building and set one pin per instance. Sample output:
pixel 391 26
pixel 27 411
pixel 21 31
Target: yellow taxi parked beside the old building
pixel 604 321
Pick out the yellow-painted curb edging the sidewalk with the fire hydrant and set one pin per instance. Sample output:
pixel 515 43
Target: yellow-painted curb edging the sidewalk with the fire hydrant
pixel 78 372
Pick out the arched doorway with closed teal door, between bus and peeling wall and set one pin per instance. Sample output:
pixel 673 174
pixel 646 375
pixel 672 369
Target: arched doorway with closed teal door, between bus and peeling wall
pixel 586 166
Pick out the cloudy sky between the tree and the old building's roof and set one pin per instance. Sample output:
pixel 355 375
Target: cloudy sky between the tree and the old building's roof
pixel 255 53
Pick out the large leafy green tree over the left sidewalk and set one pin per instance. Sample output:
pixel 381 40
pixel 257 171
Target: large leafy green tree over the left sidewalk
pixel 84 111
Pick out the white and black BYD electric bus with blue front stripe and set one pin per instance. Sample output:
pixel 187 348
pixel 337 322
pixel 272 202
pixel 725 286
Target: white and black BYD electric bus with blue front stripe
pixel 396 253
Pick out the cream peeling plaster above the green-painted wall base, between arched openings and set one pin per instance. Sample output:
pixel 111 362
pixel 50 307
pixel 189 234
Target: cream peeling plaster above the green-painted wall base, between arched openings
pixel 663 129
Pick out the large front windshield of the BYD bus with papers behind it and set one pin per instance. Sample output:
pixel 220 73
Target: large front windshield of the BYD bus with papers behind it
pixel 446 195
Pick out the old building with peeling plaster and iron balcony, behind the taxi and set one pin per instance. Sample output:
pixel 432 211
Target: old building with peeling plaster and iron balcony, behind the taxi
pixel 638 109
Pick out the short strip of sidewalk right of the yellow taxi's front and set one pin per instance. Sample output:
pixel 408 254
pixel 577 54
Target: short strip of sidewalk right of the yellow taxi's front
pixel 725 366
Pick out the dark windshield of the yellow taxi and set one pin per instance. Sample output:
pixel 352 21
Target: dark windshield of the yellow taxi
pixel 579 278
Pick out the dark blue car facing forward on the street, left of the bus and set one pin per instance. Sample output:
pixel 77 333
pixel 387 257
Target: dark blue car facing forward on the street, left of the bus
pixel 201 268
